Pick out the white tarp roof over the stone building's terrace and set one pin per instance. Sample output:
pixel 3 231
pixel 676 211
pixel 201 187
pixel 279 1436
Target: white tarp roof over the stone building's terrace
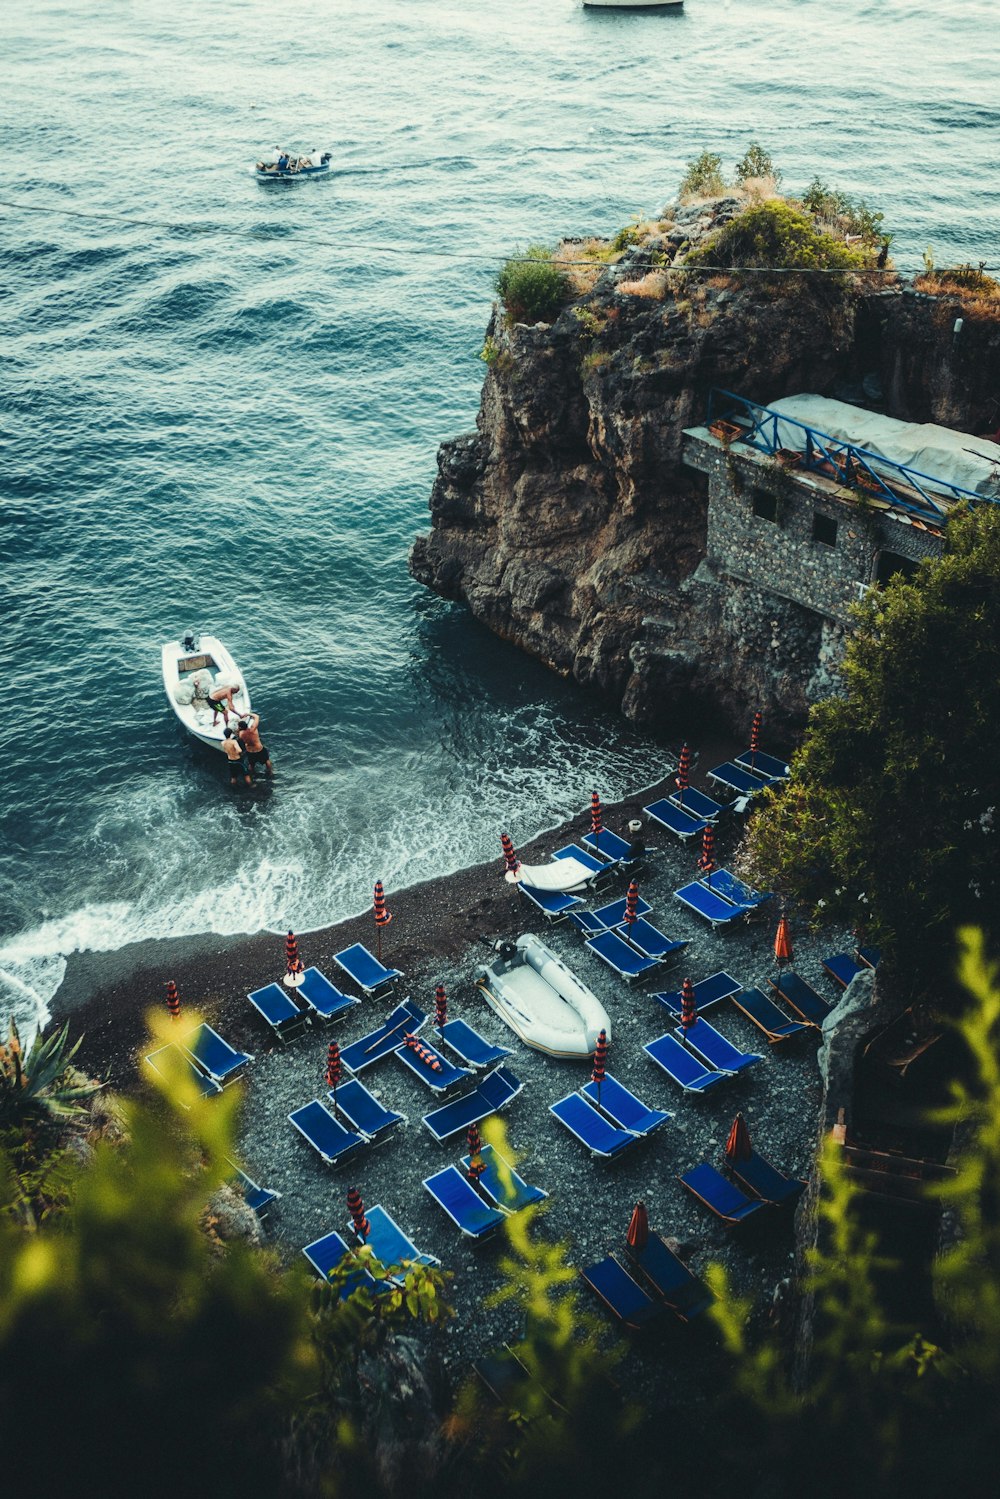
pixel 951 458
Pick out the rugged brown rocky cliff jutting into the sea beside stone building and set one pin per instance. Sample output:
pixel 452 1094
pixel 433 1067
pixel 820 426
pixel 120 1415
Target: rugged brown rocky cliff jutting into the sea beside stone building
pixel 567 521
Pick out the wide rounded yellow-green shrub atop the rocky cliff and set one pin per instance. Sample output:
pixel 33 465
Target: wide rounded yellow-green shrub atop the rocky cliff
pixel 774 235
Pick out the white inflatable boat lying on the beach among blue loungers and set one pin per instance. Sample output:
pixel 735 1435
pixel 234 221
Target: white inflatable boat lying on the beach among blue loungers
pixel 534 993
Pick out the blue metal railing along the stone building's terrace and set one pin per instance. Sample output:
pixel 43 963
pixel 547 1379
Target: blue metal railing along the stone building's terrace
pixel 837 459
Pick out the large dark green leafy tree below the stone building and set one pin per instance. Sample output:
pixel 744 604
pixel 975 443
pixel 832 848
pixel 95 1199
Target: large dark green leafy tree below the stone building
pixel 893 813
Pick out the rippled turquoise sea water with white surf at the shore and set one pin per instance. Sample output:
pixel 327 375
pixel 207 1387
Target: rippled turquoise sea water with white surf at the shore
pixel 221 404
